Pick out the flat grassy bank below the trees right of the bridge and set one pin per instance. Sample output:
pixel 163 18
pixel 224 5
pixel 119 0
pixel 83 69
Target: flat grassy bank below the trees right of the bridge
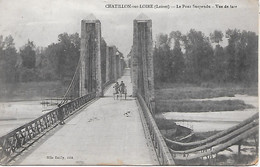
pixel 175 91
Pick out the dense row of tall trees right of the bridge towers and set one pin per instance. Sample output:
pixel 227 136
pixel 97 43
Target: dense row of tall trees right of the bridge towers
pixel 197 58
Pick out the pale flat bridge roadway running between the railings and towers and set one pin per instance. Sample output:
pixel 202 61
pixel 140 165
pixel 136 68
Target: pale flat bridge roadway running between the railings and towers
pixel 100 134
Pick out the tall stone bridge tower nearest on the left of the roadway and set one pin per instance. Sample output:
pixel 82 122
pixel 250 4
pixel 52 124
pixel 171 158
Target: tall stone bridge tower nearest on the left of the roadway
pixel 90 57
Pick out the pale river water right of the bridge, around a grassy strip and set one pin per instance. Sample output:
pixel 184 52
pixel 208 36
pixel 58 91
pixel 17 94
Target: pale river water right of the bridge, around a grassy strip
pixel 210 121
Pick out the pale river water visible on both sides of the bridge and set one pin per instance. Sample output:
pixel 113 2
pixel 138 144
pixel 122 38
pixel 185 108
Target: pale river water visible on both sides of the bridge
pixel 15 114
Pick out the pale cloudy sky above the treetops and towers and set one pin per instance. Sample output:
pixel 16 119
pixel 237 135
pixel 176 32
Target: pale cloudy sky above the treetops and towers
pixel 42 20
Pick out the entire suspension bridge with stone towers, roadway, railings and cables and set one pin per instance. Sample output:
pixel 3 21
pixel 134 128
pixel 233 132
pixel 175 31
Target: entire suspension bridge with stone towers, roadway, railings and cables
pixel 100 130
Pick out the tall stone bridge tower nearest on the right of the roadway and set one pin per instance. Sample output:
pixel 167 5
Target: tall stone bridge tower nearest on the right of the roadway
pixel 142 59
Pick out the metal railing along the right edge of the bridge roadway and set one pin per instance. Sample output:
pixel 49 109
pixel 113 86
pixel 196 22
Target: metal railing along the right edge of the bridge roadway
pixel 163 154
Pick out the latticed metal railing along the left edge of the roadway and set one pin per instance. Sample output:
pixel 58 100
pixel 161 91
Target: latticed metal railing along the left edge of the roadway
pixel 22 137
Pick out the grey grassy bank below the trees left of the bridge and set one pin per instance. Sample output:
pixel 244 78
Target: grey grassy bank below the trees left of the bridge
pixel 31 90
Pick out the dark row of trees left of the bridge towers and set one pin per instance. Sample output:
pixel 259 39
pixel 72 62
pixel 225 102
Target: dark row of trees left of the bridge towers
pixel 57 61
